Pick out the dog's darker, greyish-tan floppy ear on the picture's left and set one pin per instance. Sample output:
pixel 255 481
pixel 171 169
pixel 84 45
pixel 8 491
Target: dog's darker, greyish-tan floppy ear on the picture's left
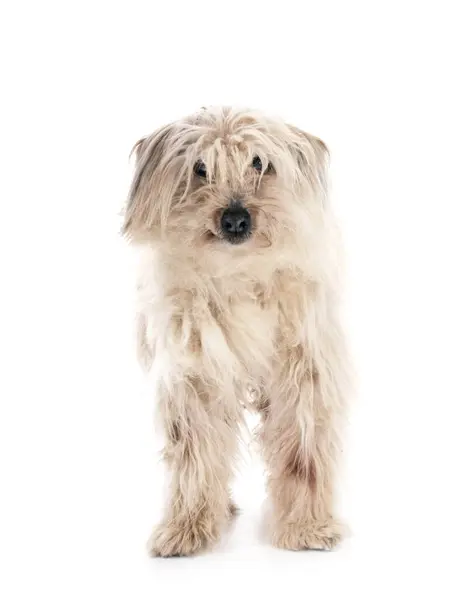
pixel 141 206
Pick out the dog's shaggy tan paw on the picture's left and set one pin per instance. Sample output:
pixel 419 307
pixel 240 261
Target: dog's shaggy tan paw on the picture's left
pixel 182 539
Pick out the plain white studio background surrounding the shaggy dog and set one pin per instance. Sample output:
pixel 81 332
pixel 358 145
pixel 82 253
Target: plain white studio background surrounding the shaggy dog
pixel 384 84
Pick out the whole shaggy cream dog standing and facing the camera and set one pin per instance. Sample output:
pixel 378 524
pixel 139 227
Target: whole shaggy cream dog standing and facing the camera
pixel 239 290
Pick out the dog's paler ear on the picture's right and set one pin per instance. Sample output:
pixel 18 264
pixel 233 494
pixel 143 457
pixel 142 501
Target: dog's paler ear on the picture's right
pixel 313 159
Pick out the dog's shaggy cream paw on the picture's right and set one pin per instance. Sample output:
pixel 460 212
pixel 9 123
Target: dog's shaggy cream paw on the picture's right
pixel 314 535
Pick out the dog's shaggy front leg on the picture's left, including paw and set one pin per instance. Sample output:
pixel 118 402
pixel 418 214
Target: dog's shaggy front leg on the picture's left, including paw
pixel 201 437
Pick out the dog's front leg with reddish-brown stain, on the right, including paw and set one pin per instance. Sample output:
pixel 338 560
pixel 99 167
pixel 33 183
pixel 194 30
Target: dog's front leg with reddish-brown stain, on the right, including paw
pixel 301 445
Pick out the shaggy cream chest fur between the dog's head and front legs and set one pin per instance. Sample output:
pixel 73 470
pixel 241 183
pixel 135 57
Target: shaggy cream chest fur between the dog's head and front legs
pixel 228 328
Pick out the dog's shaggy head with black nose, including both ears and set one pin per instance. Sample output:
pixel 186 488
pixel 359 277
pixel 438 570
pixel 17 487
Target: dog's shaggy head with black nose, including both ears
pixel 226 180
